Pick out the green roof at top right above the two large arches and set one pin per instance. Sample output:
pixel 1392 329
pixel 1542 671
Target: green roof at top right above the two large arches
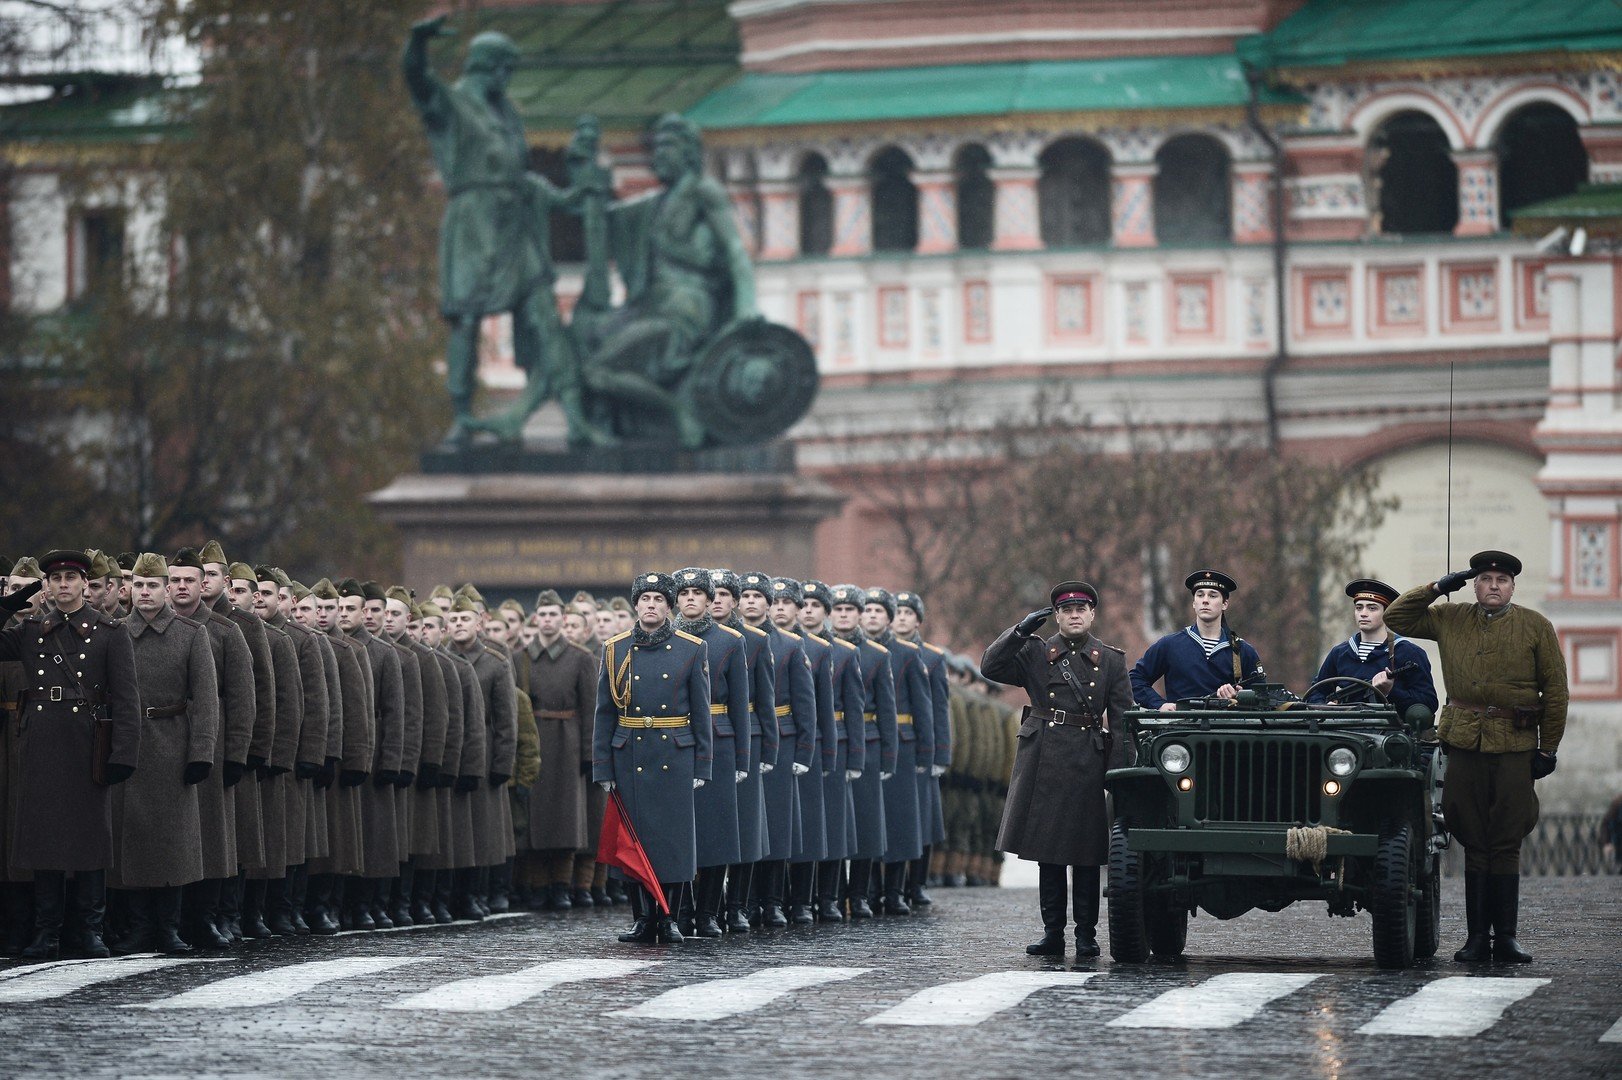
pixel 1334 33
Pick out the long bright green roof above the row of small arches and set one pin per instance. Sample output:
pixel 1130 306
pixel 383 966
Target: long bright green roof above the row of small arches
pixel 979 90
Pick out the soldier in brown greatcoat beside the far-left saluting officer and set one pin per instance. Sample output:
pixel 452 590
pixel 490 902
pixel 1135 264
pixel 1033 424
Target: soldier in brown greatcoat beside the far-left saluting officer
pixel 158 831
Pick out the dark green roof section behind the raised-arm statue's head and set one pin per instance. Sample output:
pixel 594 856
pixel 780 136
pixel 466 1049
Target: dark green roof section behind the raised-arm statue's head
pixel 625 62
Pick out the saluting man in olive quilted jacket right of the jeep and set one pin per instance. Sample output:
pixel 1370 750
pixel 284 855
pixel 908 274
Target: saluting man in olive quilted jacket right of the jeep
pixel 1501 729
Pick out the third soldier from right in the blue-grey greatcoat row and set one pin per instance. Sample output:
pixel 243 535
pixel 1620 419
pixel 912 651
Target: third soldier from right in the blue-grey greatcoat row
pixel 878 732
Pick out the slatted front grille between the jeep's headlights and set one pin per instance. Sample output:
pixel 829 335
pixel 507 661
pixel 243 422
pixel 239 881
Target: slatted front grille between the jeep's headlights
pixel 1258 781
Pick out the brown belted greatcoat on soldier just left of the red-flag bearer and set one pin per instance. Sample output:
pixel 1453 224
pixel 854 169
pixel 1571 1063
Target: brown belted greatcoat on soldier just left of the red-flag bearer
pixel 564 693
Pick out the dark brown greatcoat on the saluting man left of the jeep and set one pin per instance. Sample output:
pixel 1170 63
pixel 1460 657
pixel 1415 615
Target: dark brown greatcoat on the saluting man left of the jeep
pixel 1055 810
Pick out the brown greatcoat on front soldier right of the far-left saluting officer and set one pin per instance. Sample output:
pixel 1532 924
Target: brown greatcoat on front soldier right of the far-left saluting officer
pixel 158 831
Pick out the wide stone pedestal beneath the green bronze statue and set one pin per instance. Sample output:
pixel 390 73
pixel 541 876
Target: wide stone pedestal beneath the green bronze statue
pixel 468 516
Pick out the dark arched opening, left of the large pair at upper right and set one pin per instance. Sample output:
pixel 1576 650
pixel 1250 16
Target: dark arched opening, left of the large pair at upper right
pixel 1415 176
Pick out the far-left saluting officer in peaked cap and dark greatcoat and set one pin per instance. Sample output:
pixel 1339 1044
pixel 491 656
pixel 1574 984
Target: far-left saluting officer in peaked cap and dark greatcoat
pixel 80 672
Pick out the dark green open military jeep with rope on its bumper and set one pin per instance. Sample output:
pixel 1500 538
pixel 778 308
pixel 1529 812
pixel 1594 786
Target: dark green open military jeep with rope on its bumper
pixel 1264 802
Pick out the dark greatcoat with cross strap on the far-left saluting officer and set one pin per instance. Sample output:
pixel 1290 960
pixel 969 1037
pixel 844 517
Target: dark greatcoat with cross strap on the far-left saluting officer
pixel 64 820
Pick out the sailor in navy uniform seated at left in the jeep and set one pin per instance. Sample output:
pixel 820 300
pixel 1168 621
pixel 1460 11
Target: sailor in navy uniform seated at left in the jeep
pixel 1199 661
